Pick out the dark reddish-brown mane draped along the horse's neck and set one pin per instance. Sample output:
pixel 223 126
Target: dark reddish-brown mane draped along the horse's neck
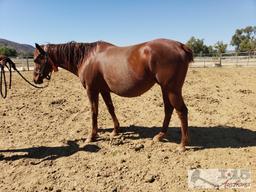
pixel 71 53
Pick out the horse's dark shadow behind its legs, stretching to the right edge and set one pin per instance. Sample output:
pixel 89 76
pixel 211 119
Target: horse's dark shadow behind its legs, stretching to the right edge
pixel 201 137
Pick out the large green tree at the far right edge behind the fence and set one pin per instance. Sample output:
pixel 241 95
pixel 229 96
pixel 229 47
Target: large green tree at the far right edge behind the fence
pixel 244 39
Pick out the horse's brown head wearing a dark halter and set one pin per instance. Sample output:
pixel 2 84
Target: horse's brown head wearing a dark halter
pixel 43 65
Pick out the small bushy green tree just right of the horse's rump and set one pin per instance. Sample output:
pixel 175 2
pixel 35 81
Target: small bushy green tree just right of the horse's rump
pixel 197 45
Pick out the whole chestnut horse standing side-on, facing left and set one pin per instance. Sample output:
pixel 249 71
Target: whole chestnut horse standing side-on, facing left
pixel 130 71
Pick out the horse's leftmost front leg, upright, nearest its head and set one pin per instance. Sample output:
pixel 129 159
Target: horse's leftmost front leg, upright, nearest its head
pixel 94 101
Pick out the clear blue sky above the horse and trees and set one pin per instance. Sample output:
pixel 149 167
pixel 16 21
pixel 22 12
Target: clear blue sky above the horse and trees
pixel 123 22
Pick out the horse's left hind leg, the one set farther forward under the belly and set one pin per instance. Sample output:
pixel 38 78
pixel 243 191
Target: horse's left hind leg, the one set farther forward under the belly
pixel 168 109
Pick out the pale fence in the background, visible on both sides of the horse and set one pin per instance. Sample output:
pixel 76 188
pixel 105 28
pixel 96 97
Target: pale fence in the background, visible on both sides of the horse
pixel 230 59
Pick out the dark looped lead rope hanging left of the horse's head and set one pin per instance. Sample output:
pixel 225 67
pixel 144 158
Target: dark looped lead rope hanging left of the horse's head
pixel 3 78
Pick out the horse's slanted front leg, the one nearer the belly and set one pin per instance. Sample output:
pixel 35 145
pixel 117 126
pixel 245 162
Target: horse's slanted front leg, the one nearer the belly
pixel 108 101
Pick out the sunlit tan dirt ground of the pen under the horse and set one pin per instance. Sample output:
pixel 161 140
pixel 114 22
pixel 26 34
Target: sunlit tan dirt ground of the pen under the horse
pixel 43 132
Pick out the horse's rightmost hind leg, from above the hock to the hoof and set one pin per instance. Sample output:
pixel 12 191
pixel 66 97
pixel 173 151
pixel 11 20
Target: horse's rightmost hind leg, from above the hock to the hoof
pixel 177 102
